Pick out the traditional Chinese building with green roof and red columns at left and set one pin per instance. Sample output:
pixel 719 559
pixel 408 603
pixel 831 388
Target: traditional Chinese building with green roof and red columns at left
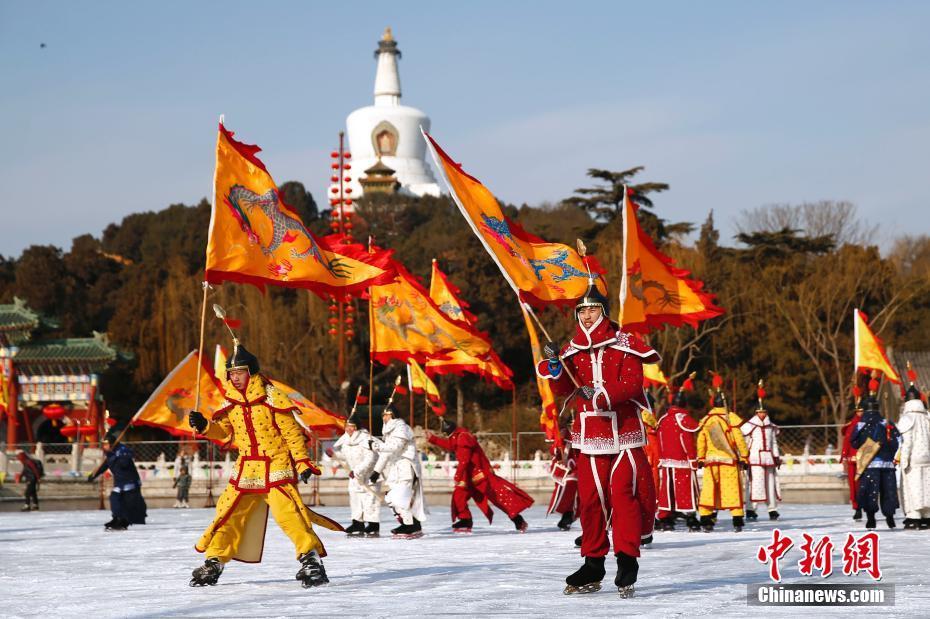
pixel 48 387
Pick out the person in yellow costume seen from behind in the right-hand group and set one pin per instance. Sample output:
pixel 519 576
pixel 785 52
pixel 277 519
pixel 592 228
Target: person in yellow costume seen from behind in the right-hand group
pixel 722 453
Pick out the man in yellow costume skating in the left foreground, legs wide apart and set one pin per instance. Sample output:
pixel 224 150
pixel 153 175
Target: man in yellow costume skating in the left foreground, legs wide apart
pixel 272 456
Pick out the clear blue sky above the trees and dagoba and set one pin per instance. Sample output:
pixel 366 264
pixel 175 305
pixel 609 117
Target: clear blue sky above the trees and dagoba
pixel 735 104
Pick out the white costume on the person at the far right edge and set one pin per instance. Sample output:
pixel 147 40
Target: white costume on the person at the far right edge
pixel 914 426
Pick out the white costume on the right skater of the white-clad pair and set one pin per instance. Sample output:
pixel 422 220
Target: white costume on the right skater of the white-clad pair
pixel 399 462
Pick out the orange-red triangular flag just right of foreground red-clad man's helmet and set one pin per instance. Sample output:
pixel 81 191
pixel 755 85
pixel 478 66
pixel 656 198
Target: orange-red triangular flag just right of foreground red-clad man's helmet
pixel 653 291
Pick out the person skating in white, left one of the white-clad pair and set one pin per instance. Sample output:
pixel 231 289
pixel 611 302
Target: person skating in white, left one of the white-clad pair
pixel 353 450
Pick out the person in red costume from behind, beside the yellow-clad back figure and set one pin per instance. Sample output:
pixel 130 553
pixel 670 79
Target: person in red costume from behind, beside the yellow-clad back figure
pixel 678 487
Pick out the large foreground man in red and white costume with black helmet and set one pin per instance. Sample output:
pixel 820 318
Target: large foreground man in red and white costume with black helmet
pixel 615 484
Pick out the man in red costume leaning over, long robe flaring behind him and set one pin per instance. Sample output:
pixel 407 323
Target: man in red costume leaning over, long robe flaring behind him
pixel 474 479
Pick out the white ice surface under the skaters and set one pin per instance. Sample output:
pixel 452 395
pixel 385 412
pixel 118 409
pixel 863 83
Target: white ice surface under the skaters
pixel 63 564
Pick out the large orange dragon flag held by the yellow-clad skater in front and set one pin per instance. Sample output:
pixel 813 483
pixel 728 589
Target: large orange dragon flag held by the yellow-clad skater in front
pixel 256 238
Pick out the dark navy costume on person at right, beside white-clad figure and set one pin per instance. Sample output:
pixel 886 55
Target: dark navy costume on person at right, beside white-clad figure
pixel 877 485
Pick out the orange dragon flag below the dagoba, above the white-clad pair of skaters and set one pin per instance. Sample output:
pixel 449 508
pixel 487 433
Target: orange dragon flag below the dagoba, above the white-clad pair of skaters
pixel 406 324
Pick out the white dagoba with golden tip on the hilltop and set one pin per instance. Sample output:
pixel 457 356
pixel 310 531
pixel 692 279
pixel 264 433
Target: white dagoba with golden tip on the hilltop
pixel 390 131
